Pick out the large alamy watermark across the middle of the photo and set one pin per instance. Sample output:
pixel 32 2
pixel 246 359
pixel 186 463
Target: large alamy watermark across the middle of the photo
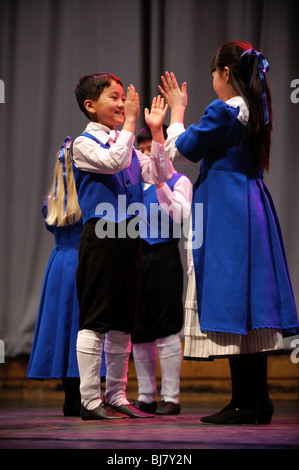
pixel 162 224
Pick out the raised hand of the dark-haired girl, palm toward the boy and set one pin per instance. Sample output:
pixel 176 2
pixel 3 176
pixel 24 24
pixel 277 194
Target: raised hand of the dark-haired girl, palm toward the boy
pixel 174 96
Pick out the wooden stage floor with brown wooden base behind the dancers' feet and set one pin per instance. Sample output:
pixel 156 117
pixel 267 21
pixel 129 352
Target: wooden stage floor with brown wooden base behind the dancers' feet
pixel 31 417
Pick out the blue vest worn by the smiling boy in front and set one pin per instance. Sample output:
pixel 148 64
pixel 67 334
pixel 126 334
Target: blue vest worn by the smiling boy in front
pixel 108 196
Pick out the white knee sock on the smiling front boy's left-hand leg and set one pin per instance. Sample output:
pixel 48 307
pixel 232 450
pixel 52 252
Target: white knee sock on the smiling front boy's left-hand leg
pixel 89 356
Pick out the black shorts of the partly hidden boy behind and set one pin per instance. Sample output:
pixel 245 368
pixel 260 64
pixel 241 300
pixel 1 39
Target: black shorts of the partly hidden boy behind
pixel 161 309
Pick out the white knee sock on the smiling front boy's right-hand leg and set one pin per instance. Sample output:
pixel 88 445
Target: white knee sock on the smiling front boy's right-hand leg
pixel 117 351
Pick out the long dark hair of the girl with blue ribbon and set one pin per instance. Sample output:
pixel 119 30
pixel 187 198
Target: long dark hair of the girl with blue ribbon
pixel 246 81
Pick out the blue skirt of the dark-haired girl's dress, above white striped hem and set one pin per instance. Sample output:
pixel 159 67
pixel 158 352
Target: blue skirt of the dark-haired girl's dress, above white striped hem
pixel 242 277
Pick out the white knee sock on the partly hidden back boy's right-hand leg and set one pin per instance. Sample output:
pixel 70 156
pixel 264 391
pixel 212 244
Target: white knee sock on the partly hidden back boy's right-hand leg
pixel 170 354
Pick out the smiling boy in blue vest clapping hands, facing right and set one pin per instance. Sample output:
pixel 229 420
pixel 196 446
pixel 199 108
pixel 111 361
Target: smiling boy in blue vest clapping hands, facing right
pixel 108 173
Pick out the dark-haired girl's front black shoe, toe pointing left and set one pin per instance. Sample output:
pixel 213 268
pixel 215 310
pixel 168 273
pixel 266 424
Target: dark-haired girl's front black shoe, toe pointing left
pixel 233 415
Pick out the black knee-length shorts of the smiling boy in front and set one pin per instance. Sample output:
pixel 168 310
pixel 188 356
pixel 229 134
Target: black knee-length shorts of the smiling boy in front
pixel 108 281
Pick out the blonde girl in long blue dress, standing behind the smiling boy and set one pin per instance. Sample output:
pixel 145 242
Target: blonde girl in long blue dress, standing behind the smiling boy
pixel 53 352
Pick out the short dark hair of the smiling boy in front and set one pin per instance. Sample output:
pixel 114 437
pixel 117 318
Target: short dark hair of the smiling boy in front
pixel 91 86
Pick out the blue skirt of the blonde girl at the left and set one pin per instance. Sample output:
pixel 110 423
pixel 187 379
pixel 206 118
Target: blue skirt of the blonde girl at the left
pixel 53 352
